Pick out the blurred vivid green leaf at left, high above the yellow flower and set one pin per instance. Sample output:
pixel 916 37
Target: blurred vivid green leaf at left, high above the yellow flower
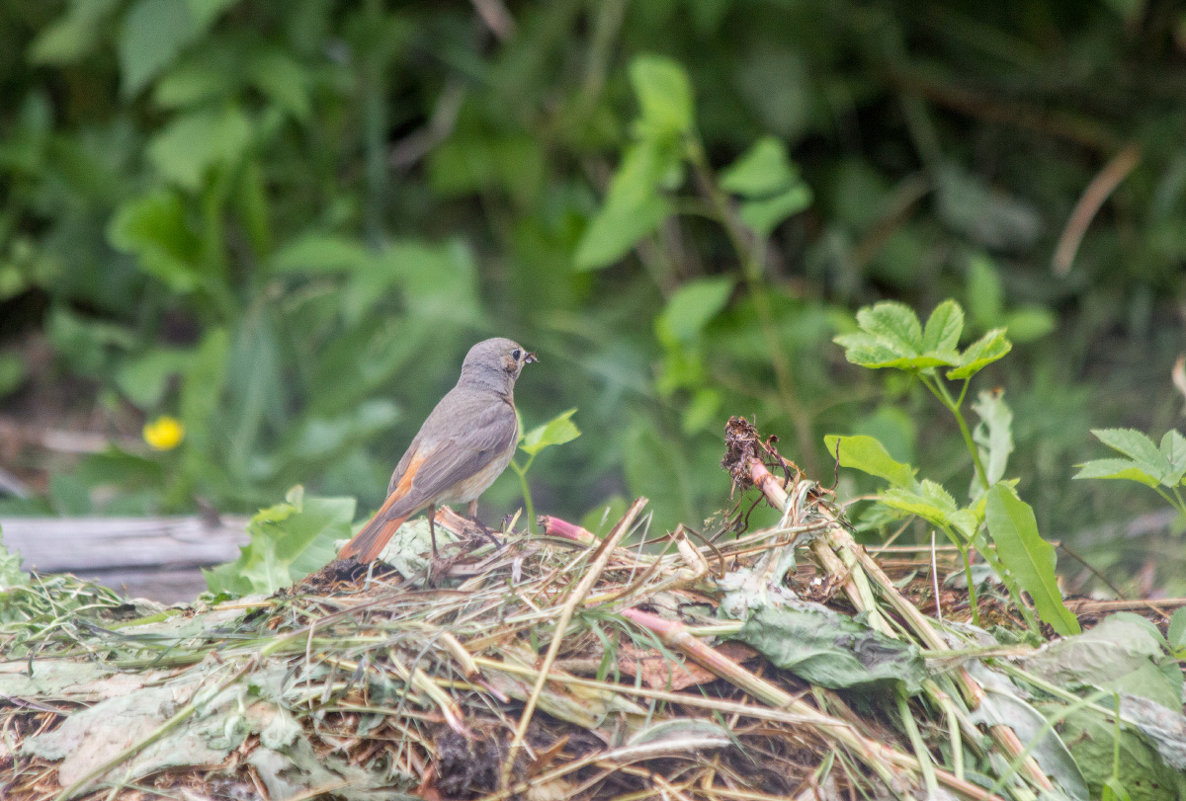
pixel 154 227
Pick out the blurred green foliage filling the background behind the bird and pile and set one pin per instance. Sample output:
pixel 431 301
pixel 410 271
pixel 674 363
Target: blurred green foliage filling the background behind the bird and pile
pixel 284 222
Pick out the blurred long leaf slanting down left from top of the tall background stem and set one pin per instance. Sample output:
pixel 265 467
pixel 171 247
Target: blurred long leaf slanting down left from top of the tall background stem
pixel 634 208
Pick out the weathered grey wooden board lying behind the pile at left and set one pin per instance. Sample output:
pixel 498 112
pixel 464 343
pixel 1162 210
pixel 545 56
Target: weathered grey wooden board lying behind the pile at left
pixel 156 558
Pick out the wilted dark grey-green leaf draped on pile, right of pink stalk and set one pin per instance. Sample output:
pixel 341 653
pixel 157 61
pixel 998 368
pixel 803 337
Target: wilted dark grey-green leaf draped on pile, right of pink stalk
pixel 832 651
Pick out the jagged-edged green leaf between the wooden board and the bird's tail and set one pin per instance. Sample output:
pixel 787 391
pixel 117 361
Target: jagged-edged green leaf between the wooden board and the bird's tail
pixel 289 542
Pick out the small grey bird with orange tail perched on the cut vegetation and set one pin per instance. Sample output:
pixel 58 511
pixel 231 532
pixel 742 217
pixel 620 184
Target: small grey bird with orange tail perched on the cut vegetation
pixel 462 448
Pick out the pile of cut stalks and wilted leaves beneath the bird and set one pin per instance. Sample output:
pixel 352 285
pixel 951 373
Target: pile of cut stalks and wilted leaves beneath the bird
pixel 565 666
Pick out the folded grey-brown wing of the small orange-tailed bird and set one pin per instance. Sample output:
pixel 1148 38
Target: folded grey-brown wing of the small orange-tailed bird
pixel 482 431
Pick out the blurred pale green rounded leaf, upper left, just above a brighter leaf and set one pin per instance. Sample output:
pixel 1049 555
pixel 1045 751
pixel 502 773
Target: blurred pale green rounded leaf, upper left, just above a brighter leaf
pixel 195 142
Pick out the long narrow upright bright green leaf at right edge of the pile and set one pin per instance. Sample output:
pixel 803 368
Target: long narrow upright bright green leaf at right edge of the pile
pixel 1028 557
